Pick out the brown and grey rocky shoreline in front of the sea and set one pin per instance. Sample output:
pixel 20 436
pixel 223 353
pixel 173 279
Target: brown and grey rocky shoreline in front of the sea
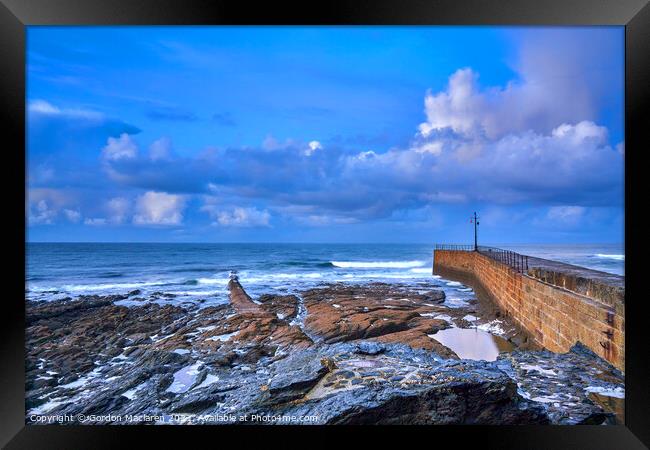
pixel 336 354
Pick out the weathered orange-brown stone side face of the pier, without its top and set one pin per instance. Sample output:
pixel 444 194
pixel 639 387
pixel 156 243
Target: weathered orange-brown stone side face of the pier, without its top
pixel 554 316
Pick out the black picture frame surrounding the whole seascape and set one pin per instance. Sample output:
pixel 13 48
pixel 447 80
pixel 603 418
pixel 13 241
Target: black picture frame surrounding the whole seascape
pixel 15 15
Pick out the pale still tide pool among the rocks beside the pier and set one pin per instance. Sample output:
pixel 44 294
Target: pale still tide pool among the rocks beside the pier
pixel 471 343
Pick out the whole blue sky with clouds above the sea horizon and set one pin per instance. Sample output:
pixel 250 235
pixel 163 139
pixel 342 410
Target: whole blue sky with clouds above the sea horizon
pixel 325 134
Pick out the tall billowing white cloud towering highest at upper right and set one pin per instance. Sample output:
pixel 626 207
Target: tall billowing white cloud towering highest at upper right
pixel 538 102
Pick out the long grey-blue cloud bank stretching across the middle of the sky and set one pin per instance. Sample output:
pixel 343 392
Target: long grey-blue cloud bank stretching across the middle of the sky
pixel 573 163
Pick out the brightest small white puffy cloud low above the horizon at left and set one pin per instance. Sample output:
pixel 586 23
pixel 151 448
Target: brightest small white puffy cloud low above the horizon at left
pixel 159 208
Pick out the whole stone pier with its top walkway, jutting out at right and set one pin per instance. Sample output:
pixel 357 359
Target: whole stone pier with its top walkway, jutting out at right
pixel 557 304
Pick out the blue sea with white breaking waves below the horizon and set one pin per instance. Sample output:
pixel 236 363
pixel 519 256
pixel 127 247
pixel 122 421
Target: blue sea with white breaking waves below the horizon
pixel 182 272
